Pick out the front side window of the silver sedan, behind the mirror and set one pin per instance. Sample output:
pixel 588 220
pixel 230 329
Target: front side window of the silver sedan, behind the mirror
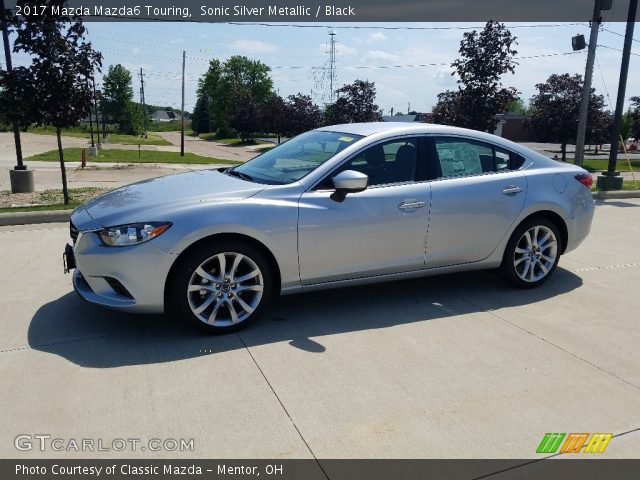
pixel 391 162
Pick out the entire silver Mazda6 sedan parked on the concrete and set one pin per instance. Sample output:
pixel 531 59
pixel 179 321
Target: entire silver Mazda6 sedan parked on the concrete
pixel 340 205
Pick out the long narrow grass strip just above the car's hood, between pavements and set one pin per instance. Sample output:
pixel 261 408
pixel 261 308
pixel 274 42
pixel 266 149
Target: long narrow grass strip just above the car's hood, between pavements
pixel 130 156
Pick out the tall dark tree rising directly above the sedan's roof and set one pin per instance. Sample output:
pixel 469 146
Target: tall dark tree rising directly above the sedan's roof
pixel 484 58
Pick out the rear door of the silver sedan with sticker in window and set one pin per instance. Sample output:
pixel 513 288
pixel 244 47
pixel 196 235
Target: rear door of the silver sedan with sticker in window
pixel 477 192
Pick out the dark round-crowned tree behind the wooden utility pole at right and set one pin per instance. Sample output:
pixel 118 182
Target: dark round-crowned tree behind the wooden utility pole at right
pixel 555 111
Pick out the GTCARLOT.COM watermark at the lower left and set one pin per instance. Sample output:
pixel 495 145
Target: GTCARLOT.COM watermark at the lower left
pixel 47 443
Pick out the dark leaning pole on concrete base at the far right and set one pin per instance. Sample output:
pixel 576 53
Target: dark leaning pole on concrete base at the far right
pixel 611 180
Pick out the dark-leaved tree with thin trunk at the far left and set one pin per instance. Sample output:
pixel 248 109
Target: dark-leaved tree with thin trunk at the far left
pixel 55 89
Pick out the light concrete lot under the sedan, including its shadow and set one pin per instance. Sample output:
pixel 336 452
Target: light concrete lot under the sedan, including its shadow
pixel 459 366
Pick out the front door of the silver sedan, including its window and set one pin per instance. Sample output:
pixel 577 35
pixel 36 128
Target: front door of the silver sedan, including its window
pixel 378 231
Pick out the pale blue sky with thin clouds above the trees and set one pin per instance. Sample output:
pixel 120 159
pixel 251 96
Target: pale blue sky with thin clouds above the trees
pixel 293 53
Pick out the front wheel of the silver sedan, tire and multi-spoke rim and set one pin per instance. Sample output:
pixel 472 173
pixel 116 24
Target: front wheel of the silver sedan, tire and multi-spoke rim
pixel 216 303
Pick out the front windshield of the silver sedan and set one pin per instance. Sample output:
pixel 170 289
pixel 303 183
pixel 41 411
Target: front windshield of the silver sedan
pixel 294 159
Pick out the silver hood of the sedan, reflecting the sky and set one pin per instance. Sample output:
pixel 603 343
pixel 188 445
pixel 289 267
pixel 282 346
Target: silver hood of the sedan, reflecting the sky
pixel 157 198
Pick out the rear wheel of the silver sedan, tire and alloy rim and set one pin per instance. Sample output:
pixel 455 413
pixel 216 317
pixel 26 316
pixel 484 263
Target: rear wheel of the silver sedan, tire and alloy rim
pixel 532 253
